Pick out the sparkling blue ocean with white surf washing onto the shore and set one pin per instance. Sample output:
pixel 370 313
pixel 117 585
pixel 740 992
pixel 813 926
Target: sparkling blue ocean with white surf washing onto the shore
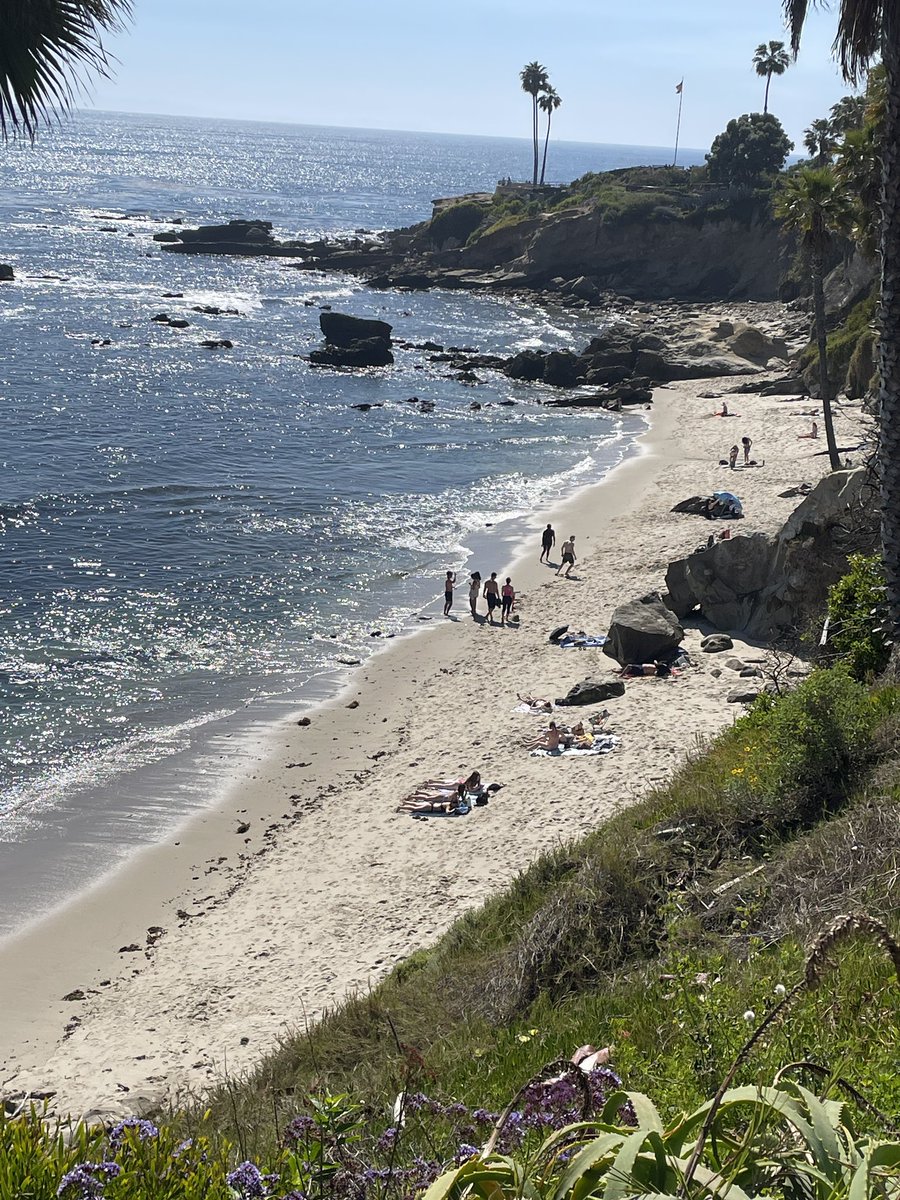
pixel 191 542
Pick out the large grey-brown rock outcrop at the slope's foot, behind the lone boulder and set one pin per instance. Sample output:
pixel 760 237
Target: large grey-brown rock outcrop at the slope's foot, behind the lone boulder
pixel 763 585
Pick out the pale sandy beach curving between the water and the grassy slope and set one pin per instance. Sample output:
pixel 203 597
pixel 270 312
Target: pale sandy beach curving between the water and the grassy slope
pixel 197 956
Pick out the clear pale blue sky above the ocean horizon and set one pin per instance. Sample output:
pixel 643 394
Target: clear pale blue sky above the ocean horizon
pixel 453 65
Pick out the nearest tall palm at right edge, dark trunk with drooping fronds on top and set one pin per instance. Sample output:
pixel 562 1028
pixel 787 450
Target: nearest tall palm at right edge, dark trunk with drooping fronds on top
pixel 866 29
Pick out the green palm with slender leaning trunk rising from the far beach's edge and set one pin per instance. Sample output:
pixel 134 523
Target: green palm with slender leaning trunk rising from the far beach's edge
pixel 812 203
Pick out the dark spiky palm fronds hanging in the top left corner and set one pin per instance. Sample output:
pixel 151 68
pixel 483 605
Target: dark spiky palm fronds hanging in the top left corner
pixel 43 46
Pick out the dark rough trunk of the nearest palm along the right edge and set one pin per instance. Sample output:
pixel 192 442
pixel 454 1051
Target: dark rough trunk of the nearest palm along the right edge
pixel 889 458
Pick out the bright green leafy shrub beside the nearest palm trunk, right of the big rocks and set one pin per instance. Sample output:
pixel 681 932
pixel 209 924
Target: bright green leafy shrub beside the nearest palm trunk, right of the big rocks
pixel 855 608
